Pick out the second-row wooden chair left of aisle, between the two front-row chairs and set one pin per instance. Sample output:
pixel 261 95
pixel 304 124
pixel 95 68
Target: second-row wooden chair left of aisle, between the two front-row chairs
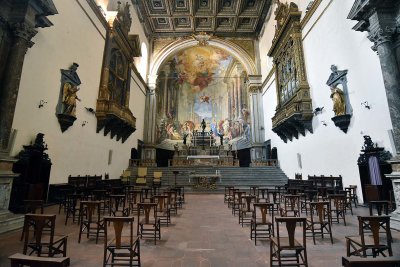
pixel 90 219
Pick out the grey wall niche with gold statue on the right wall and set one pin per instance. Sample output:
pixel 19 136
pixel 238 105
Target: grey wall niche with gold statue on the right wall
pixel 337 83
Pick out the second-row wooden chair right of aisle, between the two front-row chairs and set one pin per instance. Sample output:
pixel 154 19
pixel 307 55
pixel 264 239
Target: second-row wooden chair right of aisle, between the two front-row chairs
pixel 319 222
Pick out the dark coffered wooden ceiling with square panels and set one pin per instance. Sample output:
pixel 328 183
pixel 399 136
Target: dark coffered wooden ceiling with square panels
pixel 228 18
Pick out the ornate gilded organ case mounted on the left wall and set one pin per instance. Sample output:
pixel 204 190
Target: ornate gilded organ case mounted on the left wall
pixel 112 109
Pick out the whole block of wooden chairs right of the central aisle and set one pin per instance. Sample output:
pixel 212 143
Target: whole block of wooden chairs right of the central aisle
pixel 264 224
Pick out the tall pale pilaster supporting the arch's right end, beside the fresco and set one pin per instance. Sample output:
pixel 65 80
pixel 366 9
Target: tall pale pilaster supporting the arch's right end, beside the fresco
pixel 258 151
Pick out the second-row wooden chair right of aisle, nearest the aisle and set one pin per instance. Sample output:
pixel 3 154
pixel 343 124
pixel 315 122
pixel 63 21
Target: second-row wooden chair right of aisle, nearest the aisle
pixel 262 226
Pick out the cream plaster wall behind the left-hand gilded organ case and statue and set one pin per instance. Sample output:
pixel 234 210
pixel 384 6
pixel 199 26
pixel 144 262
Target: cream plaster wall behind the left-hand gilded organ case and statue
pixel 75 37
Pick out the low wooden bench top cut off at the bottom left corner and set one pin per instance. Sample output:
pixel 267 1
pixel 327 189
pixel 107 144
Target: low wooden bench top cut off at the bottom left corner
pixel 19 259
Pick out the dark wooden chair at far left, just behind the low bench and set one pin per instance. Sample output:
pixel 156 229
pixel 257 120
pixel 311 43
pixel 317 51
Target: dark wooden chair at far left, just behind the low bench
pixel 42 244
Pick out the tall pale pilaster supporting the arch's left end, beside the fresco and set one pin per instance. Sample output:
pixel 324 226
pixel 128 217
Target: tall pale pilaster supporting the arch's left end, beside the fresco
pixel 150 121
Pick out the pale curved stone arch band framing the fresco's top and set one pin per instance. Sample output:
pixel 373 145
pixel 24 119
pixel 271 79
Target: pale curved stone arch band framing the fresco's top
pixel 236 51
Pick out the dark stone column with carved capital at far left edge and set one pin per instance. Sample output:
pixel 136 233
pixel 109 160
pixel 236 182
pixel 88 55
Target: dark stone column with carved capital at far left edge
pixel 22 35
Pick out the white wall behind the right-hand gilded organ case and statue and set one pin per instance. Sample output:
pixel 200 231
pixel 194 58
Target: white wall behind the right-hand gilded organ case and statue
pixel 328 150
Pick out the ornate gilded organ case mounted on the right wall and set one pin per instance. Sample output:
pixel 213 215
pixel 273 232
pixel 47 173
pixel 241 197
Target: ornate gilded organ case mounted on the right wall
pixel 294 111
